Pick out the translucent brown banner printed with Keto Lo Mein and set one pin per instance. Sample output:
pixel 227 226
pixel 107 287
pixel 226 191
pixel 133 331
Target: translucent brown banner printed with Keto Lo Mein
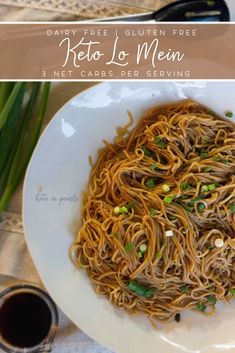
pixel 116 51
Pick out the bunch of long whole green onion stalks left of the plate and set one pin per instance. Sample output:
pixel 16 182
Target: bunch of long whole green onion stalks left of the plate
pixel 22 112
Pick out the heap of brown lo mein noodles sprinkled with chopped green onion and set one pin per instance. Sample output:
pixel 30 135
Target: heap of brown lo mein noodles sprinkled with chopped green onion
pixel 158 221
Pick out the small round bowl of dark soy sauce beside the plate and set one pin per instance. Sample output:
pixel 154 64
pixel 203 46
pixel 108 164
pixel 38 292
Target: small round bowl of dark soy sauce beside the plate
pixel 28 318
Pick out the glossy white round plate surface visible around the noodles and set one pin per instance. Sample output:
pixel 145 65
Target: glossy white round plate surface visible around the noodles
pixel 59 168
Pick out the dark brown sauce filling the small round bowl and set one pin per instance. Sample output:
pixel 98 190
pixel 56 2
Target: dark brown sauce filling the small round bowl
pixel 25 320
